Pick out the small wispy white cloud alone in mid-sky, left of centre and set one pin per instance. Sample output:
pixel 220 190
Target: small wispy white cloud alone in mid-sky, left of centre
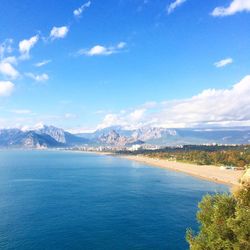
pixel 100 50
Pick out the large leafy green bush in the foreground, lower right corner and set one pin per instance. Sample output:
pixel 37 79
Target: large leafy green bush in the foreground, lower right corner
pixel 224 222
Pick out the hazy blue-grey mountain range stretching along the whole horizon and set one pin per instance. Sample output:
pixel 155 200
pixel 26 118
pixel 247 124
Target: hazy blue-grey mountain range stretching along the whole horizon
pixel 50 136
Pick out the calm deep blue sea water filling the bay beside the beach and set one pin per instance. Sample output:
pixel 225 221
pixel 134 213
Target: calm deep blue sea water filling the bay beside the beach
pixel 65 200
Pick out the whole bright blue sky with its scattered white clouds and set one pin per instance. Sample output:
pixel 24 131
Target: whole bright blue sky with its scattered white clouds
pixel 83 65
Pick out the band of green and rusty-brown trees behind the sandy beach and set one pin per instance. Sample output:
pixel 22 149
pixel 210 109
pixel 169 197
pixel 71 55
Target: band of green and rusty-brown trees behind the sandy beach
pixel 237 156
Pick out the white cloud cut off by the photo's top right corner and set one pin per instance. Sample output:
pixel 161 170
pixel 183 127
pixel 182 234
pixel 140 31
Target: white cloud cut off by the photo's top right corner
pixel 235 7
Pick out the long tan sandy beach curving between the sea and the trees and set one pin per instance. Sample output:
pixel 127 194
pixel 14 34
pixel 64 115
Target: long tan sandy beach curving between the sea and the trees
pixel 212 173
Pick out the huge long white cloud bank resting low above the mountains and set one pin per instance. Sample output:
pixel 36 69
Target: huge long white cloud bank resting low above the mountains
pixel 230 107
